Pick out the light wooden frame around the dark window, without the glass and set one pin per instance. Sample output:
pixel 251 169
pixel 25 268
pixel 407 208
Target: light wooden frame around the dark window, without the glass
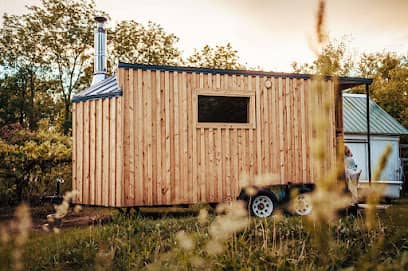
pixel 251 124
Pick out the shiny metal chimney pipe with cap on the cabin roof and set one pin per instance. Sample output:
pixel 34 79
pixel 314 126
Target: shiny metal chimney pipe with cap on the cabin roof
pixel 100 70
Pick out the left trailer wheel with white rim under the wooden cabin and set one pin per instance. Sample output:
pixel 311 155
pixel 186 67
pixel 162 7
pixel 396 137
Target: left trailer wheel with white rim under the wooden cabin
pixel 263 204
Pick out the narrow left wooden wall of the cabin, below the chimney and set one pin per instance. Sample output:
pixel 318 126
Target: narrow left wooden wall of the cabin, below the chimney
pixel 98 152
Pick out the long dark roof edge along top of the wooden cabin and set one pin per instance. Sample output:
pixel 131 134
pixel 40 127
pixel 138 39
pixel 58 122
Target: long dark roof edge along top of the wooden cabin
pixel 356 80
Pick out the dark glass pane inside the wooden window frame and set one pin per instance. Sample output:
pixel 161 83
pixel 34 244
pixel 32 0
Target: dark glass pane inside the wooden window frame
pixel 223 109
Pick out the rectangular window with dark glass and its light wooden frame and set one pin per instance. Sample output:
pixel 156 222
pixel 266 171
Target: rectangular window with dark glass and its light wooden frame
pixel 224 109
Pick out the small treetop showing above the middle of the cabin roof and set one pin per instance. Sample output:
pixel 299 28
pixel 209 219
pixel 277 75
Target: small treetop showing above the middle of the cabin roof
pixel 220 57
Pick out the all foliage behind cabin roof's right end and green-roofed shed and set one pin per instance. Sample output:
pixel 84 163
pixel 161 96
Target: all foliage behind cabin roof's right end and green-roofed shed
pixel 388 70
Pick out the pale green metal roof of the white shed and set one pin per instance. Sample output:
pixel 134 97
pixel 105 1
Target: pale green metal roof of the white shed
pixel 355 122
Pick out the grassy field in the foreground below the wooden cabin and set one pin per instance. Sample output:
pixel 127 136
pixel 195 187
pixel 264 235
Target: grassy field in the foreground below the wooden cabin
pixel 188 240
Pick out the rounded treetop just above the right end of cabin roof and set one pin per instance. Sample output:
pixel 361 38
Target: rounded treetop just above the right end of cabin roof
pixel 334 59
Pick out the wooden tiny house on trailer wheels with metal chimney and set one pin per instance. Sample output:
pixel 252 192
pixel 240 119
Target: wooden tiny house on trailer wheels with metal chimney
pixel 162 135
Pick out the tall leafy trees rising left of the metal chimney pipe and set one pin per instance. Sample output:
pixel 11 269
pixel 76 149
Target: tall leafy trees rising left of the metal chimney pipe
pixel 51 43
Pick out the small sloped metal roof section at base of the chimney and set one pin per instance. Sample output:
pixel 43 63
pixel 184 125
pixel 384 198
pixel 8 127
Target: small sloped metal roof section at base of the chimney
pixel 107 88
